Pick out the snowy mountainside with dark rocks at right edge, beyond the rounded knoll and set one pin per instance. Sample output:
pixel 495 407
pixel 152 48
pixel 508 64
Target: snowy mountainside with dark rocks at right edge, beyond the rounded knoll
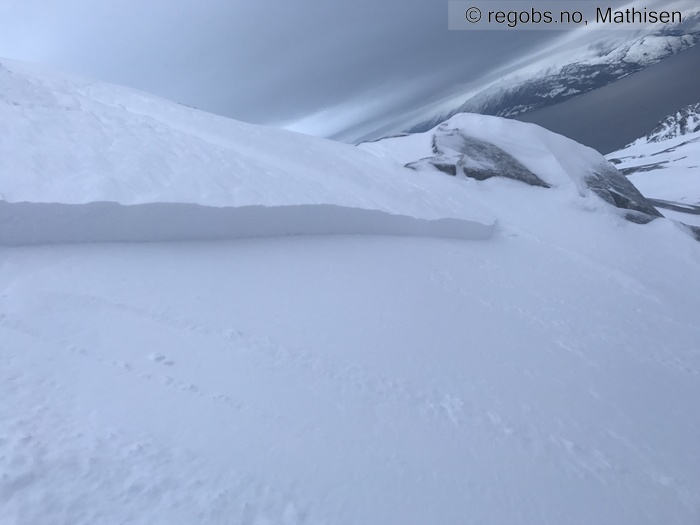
pixel 665 165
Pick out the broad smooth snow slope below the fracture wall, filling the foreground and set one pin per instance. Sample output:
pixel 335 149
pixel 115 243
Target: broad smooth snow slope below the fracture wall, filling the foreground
pixel 353 381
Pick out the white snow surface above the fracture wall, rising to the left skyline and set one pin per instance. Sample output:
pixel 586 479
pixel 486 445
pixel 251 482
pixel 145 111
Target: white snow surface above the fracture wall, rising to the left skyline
pixel 72 141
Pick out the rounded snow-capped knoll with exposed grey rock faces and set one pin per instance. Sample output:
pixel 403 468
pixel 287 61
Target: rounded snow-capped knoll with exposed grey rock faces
pixel 480 147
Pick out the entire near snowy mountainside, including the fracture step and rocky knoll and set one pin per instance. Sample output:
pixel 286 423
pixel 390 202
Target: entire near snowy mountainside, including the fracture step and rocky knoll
pixel 452 327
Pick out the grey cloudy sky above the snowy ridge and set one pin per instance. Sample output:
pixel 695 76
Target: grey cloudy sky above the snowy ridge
pixel 334 68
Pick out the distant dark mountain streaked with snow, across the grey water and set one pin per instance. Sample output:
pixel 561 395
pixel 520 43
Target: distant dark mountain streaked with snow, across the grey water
pixel 520 93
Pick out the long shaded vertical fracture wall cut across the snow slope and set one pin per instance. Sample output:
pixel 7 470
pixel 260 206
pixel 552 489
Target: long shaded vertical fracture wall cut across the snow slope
pixel 26 223
